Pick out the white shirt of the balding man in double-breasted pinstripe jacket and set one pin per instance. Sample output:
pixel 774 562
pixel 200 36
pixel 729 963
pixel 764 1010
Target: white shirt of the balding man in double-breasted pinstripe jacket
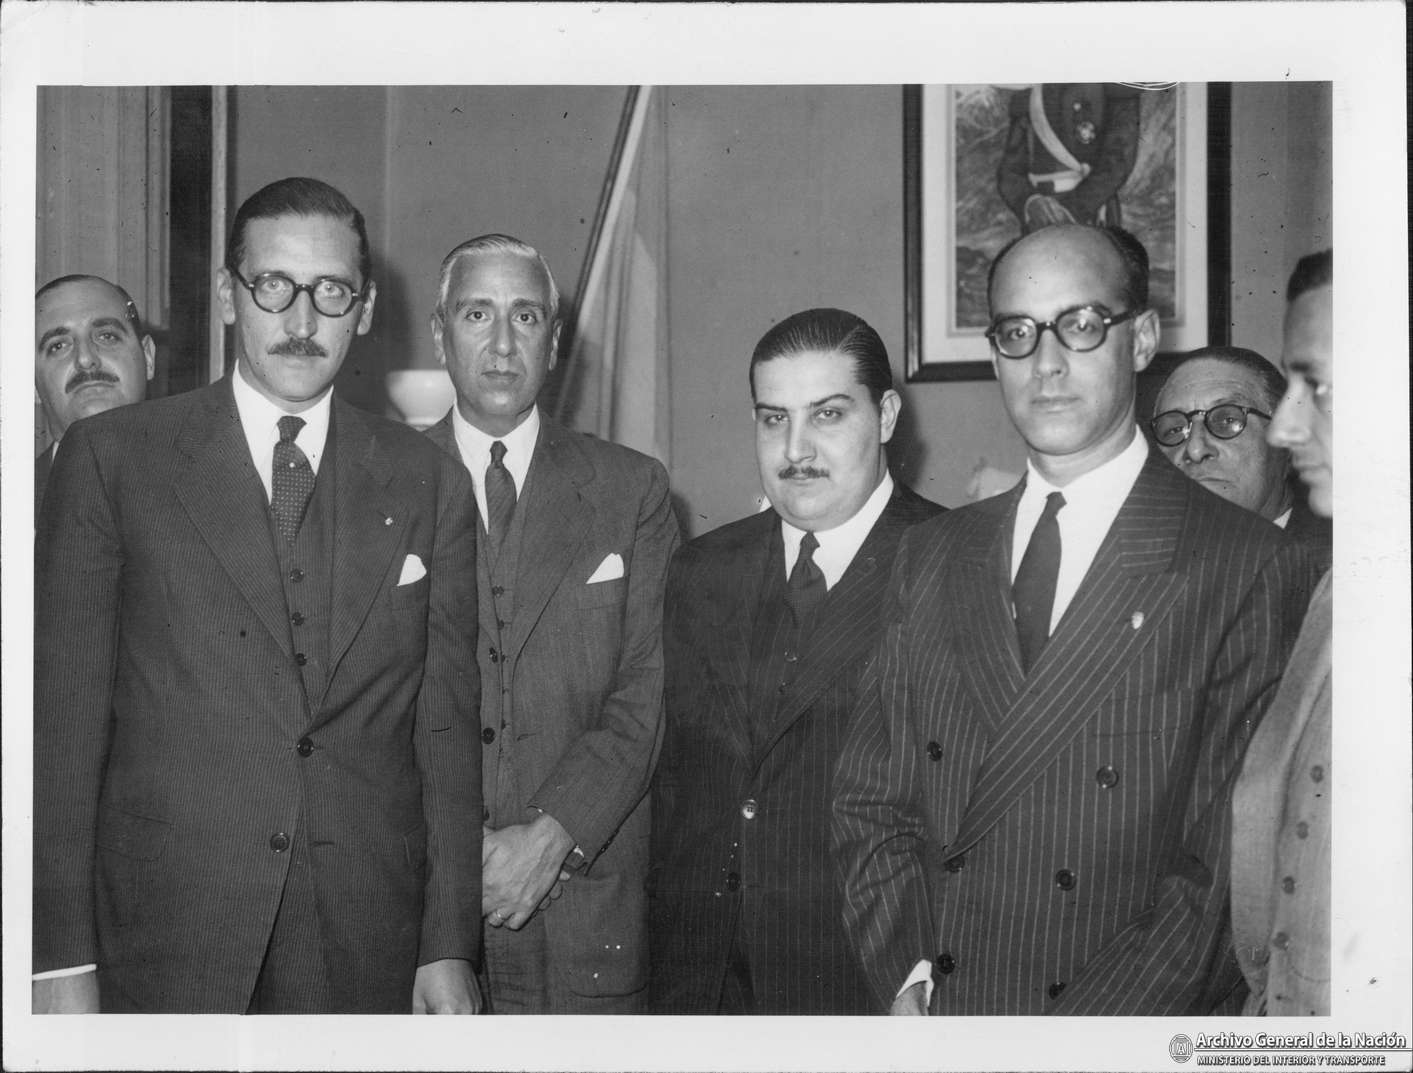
pixel 1092 503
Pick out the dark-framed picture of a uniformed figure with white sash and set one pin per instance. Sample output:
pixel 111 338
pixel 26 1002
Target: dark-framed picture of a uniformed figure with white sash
pixel 986 163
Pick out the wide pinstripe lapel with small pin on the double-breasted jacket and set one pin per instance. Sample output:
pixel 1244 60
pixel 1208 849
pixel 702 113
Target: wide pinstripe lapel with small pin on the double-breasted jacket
pixel 1130 589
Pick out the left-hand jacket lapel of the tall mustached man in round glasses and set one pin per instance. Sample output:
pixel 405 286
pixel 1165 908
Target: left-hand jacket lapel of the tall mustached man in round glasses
pixel 221 491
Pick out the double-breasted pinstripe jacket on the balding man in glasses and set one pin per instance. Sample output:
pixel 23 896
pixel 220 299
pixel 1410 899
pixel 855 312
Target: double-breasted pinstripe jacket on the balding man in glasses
pixel 1059 842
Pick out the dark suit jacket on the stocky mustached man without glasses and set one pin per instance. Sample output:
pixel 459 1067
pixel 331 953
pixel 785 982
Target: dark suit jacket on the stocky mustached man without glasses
pixel 768 880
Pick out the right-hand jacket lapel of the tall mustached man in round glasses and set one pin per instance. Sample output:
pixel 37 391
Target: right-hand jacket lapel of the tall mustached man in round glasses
pixel 368 527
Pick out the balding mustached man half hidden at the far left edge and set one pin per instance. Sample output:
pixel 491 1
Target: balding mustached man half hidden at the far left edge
pixel 91 356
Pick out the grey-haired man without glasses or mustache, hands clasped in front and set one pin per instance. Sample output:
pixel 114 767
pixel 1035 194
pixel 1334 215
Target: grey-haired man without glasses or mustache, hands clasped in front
pixel 572 573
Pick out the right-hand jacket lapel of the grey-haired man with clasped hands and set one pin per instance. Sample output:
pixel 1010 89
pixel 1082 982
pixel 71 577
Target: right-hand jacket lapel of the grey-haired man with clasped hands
pixel 556 522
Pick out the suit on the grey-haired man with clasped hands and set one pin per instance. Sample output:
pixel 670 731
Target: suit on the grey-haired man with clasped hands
pixel 580 679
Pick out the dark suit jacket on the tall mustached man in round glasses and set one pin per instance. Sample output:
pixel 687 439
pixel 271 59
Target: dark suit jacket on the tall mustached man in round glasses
pixel 169 706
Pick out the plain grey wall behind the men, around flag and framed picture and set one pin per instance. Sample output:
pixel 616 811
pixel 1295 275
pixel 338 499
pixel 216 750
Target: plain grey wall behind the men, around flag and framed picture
pixel 781 199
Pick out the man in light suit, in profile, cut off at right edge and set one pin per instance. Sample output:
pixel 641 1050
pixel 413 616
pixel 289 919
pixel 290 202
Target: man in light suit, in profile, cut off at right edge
pixel 1282 808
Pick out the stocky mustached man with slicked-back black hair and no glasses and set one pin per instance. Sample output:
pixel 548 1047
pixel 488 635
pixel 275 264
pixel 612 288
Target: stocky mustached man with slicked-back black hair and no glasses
pixel 771 623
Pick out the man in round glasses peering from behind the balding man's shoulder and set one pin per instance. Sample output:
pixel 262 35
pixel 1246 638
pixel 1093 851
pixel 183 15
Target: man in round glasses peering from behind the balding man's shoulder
pixel 1212 419
